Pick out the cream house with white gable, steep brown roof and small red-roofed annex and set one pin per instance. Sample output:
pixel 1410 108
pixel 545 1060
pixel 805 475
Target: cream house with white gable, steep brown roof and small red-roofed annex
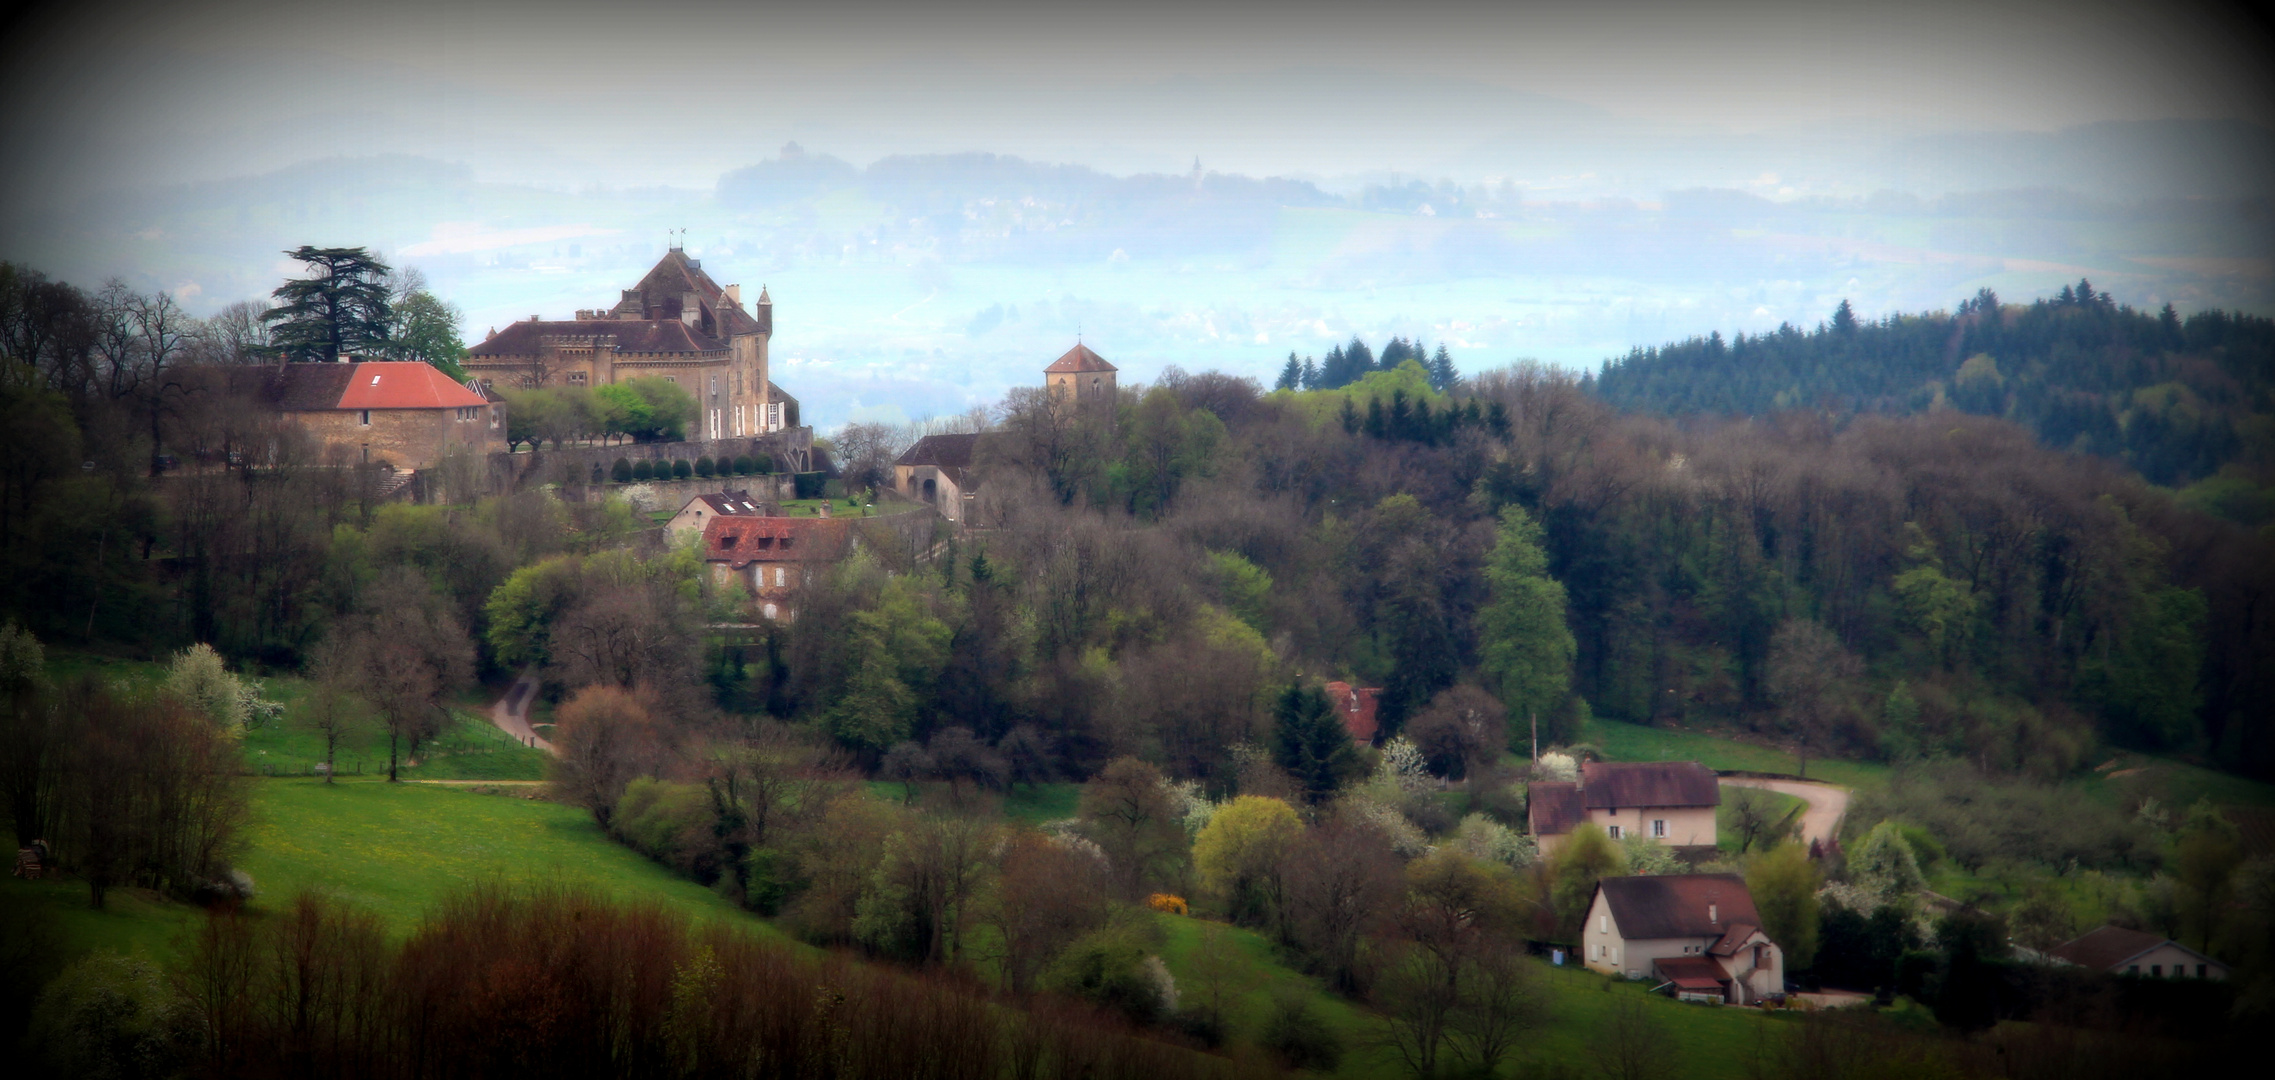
pixel 1694 933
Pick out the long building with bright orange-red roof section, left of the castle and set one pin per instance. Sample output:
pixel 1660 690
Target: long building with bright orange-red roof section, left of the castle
pixel 404 415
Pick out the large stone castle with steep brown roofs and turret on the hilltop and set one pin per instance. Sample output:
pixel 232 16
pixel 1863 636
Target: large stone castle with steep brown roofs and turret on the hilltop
pixel 677 324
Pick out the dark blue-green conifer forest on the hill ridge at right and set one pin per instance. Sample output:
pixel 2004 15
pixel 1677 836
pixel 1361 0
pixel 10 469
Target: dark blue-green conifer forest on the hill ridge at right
pixel 2176 399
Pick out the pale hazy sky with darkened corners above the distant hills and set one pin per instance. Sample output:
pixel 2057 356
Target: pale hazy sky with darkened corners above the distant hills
pixel 579 92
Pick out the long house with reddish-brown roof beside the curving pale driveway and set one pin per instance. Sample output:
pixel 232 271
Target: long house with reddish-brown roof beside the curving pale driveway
pixel 1666 801
